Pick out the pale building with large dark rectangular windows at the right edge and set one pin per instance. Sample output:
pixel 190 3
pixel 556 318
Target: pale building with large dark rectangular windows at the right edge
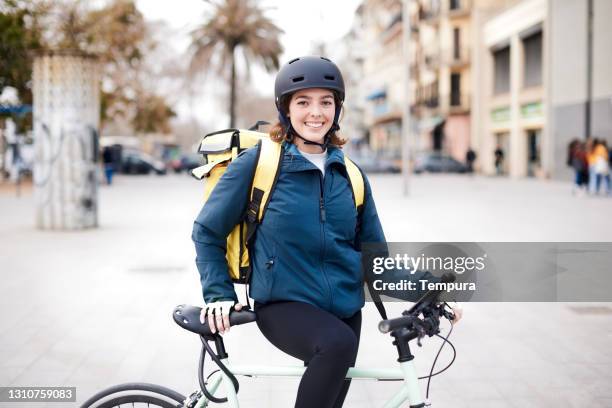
pixel 543 80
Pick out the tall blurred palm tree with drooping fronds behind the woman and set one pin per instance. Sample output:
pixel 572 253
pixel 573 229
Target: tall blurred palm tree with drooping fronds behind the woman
pixel 235 25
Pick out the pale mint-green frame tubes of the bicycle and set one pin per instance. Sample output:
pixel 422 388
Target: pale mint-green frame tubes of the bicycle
pixel 409 390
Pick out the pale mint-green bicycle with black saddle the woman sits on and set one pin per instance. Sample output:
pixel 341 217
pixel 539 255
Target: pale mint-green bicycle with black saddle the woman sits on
pixel 422 319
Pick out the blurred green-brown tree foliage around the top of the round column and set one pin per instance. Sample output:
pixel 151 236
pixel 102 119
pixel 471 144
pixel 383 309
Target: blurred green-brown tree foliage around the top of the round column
pixel 117 34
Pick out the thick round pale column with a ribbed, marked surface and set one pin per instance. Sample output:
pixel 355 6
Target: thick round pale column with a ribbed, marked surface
pixel 66 121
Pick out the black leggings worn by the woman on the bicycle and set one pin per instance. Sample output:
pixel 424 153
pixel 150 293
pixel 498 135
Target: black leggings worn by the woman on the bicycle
pixel 327 345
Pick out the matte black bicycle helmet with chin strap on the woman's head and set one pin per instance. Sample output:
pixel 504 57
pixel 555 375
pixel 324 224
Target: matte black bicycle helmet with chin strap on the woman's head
pixel 304 73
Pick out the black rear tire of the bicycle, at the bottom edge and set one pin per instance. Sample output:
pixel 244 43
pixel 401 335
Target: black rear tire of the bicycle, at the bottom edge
pixel 132 393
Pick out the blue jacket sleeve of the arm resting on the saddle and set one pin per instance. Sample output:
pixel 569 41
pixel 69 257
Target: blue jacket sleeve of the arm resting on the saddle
pixel 224 209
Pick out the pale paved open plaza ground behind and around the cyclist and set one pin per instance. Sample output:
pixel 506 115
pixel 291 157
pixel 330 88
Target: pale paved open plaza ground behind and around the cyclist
pixel 91 309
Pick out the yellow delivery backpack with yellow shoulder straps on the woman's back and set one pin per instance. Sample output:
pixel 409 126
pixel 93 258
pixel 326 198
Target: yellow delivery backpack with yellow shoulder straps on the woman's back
pixel 219 149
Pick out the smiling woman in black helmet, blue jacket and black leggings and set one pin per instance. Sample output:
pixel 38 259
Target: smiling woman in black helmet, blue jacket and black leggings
pixel 306 279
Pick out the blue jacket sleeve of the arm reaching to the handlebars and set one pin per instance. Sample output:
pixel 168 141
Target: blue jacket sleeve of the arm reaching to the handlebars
pixel 372 234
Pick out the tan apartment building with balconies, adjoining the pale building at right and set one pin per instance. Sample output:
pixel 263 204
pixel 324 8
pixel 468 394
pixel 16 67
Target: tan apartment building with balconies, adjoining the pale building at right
pixel 443 43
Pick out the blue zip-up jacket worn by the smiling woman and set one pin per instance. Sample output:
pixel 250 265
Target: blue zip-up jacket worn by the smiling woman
pixel 306 248
